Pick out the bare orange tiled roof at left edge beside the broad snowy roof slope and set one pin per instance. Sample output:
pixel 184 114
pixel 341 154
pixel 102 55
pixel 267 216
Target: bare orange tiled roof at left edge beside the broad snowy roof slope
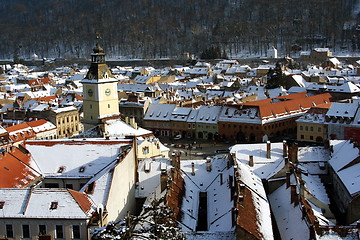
pixel 15 169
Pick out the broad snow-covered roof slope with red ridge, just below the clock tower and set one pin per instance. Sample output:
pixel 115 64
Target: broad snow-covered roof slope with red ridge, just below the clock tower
pixel 74 158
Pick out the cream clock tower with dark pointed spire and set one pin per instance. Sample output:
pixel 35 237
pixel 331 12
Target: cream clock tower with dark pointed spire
pixel 100 97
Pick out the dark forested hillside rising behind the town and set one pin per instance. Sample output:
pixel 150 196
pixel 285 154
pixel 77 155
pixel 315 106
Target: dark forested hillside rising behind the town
pixel 170 28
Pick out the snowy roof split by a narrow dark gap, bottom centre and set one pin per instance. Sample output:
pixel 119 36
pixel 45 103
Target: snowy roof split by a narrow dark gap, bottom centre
pixel 219 201
